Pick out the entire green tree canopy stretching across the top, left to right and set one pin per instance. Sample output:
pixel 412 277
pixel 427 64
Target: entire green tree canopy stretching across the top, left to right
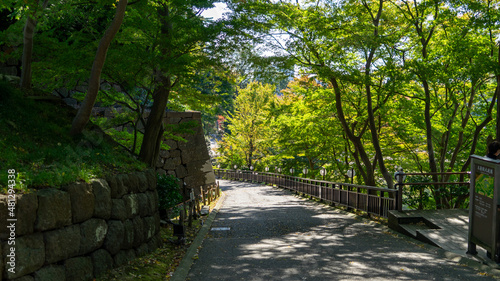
pixel 364 84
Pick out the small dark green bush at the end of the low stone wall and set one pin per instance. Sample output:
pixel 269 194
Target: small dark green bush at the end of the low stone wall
pixel 168 191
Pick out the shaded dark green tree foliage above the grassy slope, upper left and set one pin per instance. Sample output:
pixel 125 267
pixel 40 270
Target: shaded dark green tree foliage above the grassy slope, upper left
pixel 68 34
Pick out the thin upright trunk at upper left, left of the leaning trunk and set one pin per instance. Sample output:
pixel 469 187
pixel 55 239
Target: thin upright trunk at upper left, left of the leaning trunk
pixel 28 34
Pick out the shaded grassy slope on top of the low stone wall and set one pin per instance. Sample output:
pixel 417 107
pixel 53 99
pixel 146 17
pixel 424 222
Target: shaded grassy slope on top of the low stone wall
pixel 35 141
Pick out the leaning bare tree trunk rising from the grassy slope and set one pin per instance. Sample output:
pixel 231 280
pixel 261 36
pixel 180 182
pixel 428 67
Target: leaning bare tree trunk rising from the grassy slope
pixel 83 115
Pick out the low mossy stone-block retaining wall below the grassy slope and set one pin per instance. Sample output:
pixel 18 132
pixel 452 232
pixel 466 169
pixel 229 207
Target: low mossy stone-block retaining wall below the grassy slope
pixel 83 229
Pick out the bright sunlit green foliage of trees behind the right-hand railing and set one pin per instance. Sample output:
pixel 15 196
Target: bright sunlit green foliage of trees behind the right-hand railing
pixel 413 88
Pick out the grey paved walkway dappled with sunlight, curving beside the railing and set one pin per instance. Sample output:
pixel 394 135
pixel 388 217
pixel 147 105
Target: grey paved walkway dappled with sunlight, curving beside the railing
pixel 265 233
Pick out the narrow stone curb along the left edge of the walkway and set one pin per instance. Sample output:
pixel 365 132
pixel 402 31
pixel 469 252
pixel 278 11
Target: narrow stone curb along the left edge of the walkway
pixel 182 270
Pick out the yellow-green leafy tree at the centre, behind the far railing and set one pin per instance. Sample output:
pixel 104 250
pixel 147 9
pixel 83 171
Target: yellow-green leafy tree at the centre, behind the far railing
pixel 309 136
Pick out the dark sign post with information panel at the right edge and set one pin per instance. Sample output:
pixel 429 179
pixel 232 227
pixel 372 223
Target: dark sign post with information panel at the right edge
pixel 484 206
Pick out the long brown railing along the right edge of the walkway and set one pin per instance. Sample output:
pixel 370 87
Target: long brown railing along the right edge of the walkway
pixel 373 200
